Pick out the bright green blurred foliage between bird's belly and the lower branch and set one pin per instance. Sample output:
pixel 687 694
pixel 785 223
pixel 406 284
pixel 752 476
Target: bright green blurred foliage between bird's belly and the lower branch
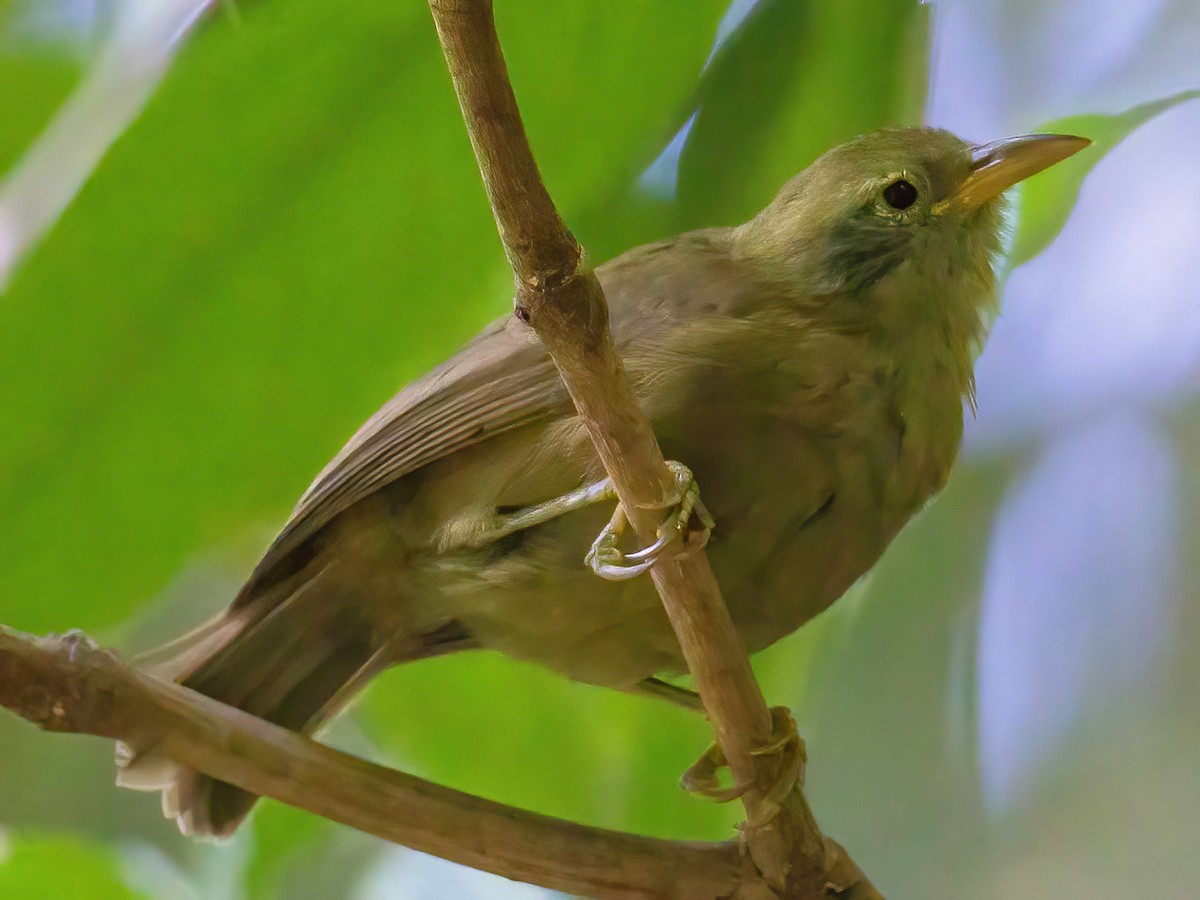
pixel 520 735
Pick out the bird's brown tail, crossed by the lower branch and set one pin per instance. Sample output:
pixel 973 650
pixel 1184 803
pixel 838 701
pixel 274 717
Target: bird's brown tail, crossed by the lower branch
pixel 295 656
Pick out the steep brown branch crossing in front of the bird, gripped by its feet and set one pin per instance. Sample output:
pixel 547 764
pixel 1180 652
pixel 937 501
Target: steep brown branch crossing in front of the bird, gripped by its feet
pixel 560 297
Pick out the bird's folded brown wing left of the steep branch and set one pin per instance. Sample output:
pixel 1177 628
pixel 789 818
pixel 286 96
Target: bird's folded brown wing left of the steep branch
pixel 502 381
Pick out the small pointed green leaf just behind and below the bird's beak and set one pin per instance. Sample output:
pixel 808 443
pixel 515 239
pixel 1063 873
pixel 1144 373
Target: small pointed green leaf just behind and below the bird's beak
pixel 1048 199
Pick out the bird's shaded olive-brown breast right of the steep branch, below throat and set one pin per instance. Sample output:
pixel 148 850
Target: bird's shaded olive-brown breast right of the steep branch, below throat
pixel 812 470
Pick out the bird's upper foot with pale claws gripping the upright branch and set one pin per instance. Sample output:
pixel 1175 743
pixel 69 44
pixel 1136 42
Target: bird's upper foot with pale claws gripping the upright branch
pixel 609 561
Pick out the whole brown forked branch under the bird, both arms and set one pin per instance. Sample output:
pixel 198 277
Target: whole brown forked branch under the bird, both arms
pixel 70 685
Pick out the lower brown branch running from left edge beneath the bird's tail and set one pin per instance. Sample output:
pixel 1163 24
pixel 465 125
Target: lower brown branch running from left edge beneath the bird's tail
pixel 70 685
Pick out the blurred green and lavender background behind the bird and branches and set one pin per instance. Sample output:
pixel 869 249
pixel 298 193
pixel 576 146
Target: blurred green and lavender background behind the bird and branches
pixel 230 231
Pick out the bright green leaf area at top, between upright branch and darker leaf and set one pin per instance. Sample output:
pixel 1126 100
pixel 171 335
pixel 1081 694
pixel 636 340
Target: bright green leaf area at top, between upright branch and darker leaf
pixel 603 87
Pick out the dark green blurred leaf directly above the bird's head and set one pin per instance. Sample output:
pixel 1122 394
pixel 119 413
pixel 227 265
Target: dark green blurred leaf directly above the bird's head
pixel 799 80
